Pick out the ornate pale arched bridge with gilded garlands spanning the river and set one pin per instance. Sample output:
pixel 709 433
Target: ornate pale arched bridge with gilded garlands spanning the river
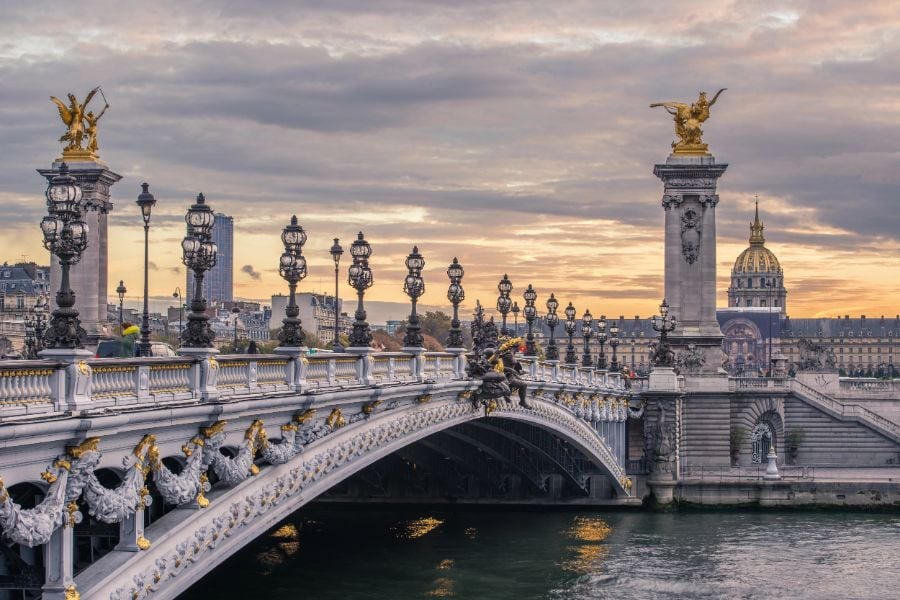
pixel 138 476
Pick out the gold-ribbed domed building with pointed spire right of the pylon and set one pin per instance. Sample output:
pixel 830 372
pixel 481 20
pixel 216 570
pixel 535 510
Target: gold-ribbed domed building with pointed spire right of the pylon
pixel 757 279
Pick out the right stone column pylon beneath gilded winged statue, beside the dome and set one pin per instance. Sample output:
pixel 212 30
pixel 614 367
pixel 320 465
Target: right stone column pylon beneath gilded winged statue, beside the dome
pixel 689 201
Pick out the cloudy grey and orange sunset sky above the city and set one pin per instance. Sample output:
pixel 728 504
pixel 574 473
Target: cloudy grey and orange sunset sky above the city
pixel 514 135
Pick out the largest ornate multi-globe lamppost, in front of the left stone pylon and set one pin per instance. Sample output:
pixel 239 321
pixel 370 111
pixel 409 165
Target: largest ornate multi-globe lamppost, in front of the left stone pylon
pixel 65 235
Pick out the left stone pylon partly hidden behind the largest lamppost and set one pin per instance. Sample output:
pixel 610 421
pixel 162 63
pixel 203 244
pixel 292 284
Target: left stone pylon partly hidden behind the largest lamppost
pixel 89 277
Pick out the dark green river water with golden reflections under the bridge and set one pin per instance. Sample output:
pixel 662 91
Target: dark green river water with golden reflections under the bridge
pixel 366 553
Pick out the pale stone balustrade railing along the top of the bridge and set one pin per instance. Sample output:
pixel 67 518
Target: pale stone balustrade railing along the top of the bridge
pixel 46 386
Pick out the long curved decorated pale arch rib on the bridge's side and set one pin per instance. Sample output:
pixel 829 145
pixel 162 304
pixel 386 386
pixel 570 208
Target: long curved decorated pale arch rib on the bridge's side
pixel 187 543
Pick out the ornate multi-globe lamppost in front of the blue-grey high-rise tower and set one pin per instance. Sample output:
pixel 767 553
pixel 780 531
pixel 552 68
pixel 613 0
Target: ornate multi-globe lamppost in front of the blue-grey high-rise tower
pixel 199 254
